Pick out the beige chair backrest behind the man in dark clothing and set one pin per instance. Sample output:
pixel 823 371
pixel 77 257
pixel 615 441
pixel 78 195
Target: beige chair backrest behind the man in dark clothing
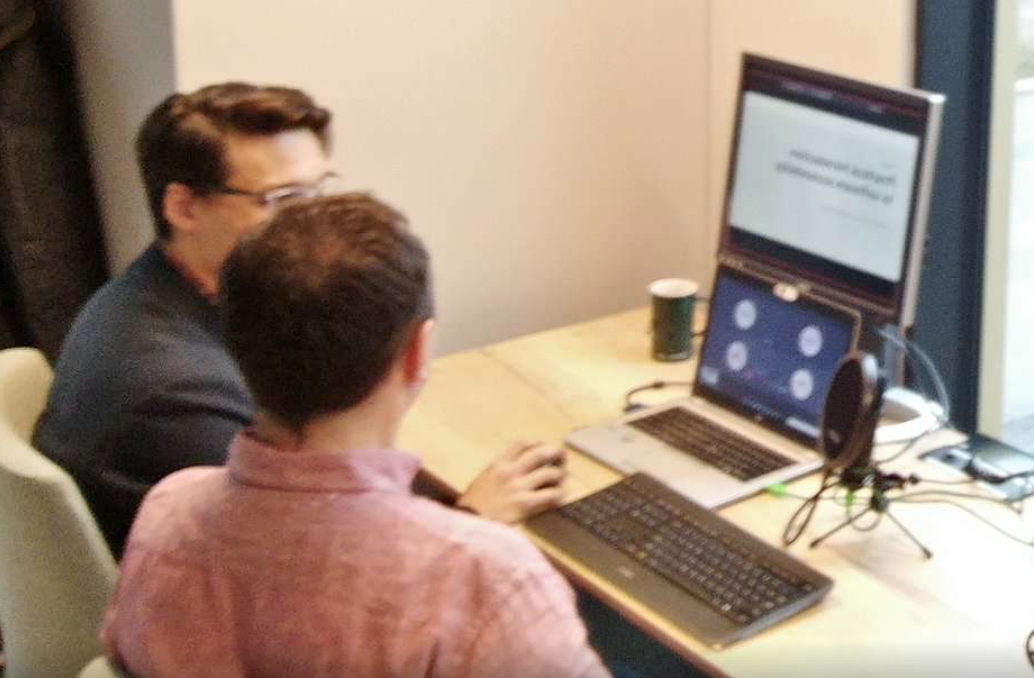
pixel 56 570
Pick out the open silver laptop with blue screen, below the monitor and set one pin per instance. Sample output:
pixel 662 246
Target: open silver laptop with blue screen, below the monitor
pixel 752 420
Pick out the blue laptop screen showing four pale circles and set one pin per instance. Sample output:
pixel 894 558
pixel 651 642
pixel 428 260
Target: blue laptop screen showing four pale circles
pixel 769 358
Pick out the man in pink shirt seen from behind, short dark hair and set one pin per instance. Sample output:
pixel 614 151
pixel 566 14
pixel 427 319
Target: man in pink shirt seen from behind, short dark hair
pixel 308 554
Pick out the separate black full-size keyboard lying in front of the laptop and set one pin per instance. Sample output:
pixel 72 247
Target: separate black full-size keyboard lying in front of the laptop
pixel 685 563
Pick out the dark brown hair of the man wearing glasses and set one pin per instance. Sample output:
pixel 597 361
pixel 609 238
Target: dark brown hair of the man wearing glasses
pixel 184 140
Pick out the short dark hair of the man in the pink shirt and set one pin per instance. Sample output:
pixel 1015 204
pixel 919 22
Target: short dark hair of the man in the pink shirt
pixel 317 306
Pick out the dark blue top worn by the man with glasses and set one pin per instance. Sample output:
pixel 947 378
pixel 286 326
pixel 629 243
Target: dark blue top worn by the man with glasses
pixel 144 387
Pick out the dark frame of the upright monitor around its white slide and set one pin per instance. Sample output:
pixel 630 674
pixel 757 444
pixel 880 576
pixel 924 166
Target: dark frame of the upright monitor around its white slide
pixel 801 269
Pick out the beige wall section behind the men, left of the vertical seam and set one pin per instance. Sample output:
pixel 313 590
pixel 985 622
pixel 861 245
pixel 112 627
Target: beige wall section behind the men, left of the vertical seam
pixel 552 155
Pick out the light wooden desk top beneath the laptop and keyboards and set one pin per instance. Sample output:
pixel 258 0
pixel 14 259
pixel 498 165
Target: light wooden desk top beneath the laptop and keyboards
pixel 966 612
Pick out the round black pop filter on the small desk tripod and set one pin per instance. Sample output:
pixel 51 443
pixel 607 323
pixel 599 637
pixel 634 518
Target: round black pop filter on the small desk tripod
pixel 850 415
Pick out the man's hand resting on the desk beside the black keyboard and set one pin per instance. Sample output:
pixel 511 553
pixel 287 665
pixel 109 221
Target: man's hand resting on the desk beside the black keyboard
pixel 524 481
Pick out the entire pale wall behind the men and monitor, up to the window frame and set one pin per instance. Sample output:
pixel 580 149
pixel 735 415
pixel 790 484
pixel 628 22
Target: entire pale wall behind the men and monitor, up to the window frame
pixel 555 156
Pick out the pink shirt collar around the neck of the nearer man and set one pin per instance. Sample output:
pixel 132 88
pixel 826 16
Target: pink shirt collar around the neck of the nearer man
pixel 252 463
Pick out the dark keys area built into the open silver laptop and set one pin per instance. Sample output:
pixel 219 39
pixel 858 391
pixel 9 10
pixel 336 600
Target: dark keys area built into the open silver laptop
pixel 711 444
